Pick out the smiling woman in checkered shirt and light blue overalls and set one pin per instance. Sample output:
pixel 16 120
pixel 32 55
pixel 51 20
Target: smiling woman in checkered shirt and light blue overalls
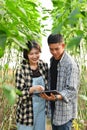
pixel 31 76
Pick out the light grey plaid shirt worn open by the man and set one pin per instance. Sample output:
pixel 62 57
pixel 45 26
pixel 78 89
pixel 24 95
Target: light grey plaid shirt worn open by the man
pixel 67 85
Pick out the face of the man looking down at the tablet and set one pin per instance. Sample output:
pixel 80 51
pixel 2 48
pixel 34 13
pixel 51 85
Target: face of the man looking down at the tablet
pixel 57 50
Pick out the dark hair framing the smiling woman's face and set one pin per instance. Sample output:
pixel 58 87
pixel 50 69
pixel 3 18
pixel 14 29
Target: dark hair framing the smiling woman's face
pixel 30 45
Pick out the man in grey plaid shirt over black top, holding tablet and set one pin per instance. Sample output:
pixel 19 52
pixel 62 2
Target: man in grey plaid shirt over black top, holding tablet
pixel 64 77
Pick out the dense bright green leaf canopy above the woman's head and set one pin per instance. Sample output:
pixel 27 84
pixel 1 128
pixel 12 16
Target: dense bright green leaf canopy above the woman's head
pixel 19 22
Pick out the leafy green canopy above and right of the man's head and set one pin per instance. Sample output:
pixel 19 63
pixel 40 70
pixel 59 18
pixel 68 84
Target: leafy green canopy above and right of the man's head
pixel 69 18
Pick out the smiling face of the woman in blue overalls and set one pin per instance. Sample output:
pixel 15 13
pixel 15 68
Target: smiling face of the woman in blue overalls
pixel 34 56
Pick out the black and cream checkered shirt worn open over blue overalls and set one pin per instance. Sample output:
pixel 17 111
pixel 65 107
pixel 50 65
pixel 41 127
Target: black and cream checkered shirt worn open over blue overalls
pixel 24 109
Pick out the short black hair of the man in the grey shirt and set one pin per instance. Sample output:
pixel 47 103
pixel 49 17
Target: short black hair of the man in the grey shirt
pixel 55 38
